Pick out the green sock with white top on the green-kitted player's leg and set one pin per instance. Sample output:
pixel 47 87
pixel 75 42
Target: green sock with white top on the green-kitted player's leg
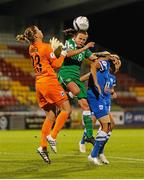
pixel 88 123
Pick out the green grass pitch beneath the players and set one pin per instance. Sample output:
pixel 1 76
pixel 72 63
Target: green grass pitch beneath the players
pixel 18 157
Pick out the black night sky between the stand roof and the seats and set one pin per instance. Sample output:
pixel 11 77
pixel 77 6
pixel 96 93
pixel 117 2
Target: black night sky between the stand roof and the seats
pixel 120 30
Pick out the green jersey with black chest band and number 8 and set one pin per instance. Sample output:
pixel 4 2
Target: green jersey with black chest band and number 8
pixel 71 65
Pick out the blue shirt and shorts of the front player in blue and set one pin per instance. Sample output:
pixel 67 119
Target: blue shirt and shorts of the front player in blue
pixel 97 101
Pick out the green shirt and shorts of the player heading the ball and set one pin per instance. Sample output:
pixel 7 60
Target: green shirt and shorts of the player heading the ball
pixel 70 70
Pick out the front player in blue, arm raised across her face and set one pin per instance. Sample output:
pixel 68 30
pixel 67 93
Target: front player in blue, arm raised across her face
pixel 97 91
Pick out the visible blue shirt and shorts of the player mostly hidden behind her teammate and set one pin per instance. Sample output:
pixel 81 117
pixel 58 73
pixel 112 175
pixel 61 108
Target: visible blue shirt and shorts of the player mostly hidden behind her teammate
pixel 111 82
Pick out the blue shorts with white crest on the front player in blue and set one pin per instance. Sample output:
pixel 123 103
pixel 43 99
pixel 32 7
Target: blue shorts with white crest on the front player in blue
pixel 97 105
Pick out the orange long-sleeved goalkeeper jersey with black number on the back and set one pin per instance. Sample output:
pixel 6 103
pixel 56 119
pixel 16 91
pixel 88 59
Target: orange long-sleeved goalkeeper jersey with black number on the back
pixel 44 61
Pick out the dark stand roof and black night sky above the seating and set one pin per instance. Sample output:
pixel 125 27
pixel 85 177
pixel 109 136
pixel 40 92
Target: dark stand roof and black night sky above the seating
pixel 116 25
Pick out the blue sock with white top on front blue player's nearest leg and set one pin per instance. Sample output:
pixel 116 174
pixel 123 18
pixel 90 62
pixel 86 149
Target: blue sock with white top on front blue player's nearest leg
pixel 100 141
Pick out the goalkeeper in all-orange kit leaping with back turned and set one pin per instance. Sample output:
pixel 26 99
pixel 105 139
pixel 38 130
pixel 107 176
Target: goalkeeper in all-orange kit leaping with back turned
pixel 49 92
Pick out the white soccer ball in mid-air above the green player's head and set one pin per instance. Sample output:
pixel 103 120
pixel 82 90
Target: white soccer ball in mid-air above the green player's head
pixel 81 23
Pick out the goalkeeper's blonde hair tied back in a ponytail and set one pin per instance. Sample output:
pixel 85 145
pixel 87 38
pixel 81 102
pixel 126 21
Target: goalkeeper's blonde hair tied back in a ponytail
pixel 29 35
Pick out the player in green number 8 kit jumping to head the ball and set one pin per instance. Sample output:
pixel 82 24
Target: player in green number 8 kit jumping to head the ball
pixel 69 75
